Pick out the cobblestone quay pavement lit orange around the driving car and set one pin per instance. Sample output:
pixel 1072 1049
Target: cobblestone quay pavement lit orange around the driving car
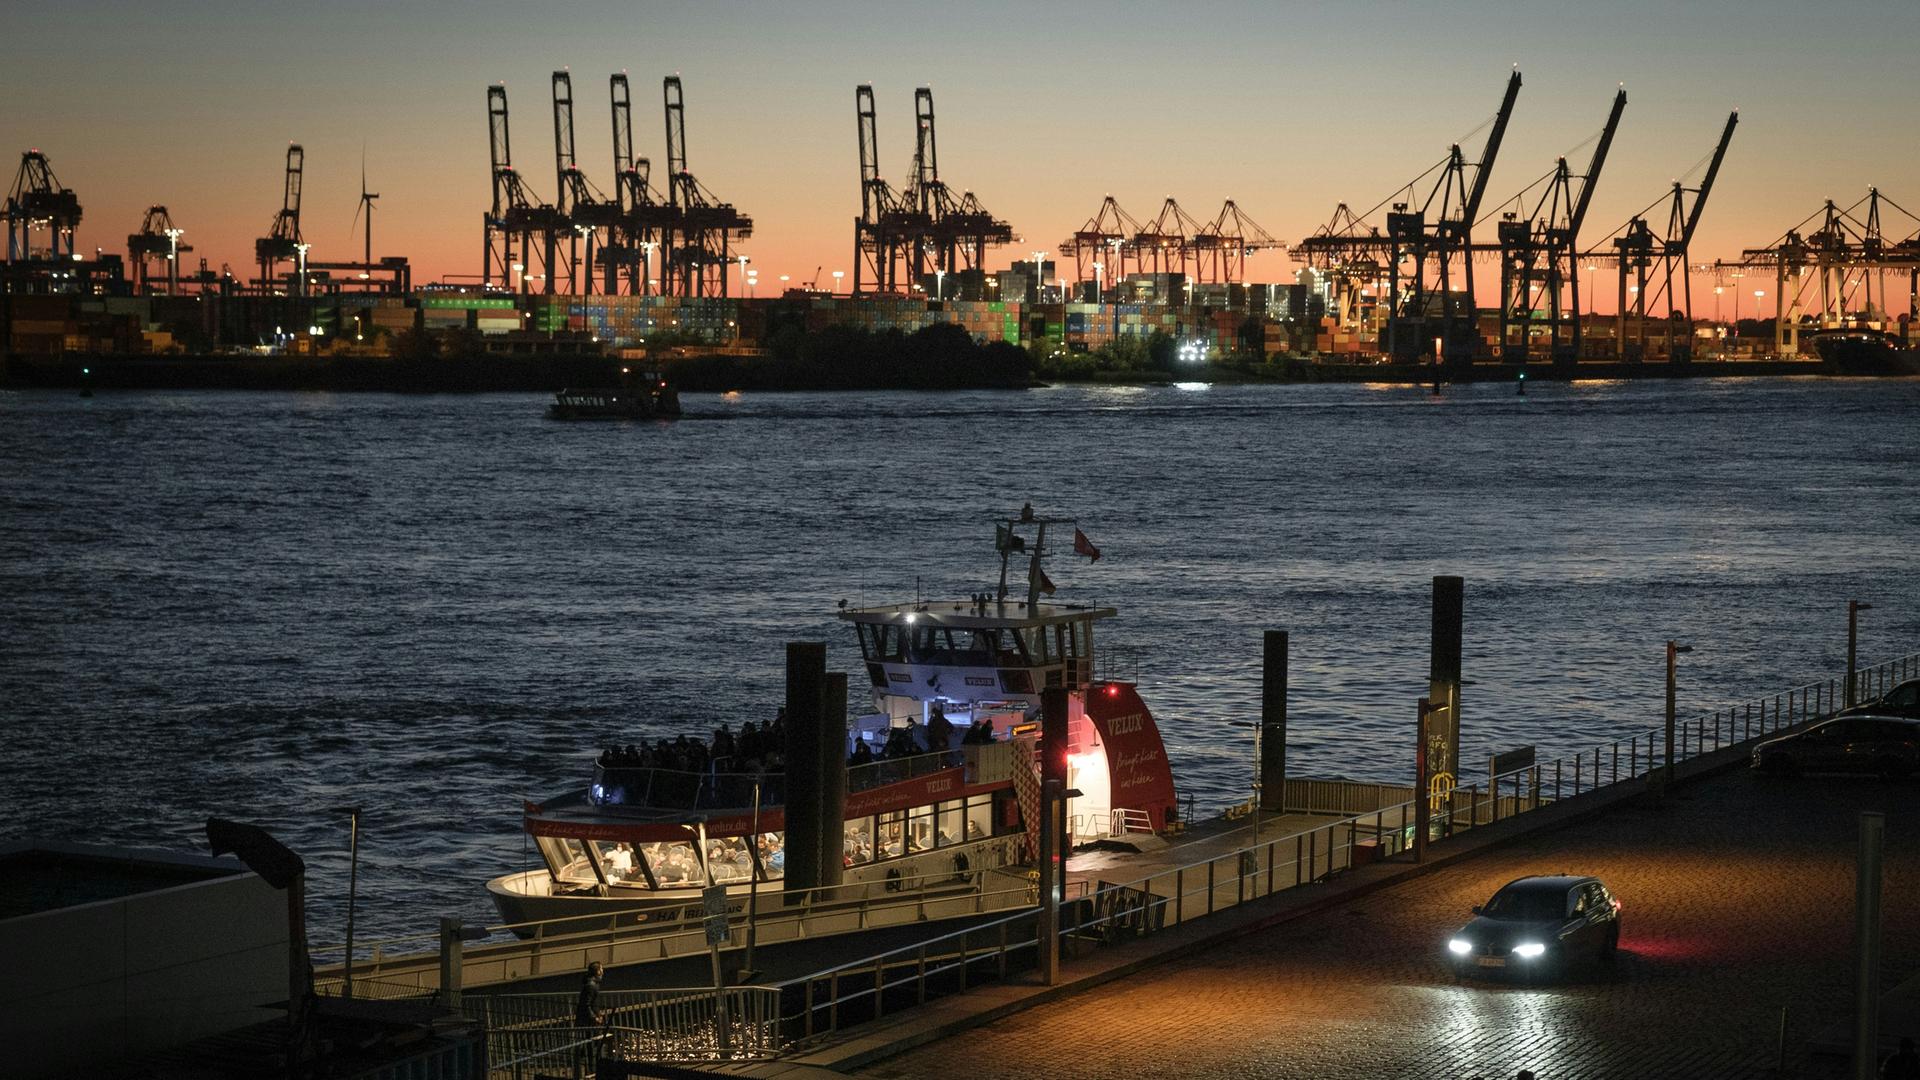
pixel 1737 904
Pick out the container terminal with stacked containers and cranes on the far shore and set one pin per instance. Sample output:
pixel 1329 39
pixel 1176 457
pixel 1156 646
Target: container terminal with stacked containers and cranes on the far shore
pixel 1403 283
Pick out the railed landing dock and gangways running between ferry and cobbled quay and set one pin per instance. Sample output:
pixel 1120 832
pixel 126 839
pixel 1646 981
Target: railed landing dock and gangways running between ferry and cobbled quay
pixel 1335 841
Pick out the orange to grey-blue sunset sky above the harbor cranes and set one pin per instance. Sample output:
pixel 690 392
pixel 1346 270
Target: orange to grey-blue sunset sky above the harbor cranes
pixel 1044 109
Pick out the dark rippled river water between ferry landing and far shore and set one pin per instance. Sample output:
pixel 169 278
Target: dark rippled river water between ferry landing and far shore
pixel 277 606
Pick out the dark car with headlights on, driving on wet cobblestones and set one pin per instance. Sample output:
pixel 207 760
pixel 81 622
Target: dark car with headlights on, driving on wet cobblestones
pixel 1539 927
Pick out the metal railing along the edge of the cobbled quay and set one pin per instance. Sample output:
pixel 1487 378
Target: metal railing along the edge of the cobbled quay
pixel 827 1002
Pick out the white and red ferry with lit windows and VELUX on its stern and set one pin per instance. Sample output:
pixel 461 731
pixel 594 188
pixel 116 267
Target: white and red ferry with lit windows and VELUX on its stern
pixel 942 783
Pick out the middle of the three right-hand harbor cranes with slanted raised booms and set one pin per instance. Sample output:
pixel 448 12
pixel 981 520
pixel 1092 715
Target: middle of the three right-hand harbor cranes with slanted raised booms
pixel 1541 257
